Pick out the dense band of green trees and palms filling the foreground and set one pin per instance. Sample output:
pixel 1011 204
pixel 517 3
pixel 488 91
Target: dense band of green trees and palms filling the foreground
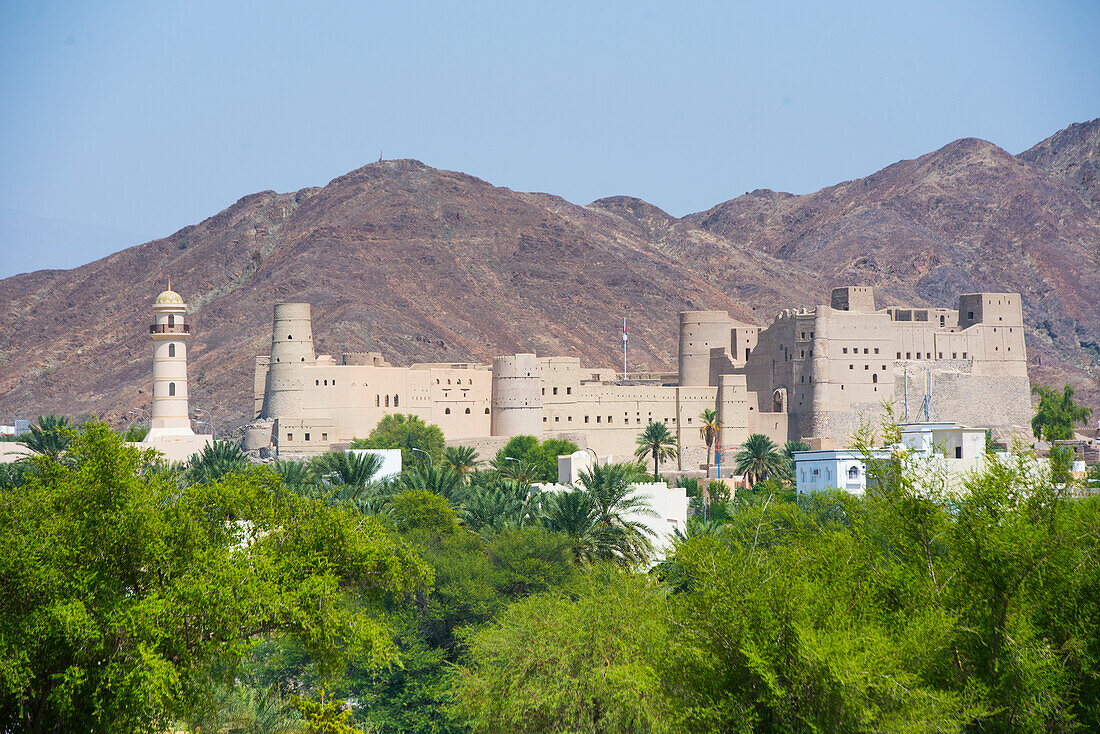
pixel 309 597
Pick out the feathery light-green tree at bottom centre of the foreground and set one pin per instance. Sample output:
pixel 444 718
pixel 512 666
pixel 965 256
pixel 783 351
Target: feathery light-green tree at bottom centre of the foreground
pixel 578 662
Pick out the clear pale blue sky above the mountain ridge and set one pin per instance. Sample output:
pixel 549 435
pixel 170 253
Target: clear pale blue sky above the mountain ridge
pixel 135 119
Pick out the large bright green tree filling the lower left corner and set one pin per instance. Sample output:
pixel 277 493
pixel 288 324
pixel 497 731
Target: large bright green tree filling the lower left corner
pixel 123 589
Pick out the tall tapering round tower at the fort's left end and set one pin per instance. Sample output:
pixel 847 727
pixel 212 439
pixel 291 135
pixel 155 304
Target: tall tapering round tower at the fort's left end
pixel 292 348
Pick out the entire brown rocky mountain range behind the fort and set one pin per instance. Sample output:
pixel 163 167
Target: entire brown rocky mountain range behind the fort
pixel 435 266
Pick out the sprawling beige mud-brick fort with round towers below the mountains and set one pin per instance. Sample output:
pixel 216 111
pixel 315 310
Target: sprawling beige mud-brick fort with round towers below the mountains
pixel 813 375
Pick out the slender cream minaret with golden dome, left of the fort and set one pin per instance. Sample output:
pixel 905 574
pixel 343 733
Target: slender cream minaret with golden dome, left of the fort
pixel 170 334
